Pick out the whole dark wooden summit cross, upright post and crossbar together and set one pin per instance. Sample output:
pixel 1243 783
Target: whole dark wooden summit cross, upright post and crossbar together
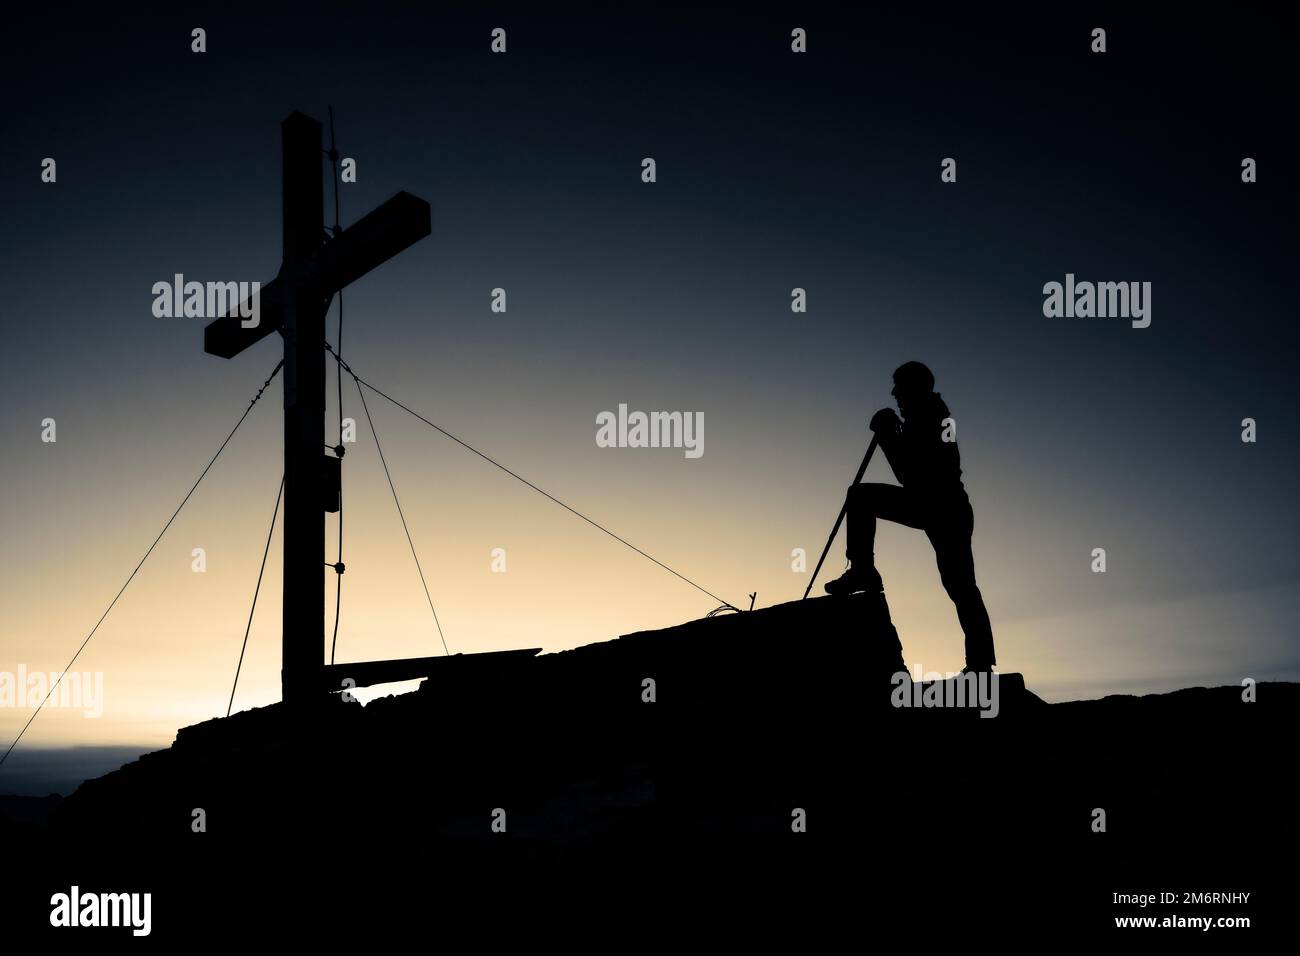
pixel 294 304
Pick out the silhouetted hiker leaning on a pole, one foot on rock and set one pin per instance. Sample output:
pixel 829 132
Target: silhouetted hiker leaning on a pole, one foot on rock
pixel 931 499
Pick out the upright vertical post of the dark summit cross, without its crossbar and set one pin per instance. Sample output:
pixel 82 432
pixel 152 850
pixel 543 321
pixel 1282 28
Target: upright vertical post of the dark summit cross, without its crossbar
pixel 305 413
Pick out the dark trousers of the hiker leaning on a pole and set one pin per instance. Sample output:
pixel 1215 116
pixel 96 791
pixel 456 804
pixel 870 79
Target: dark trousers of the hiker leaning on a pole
pixel 950 527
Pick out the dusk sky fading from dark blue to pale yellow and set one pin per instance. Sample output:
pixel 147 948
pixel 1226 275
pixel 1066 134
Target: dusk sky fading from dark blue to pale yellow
pixel 775 171
